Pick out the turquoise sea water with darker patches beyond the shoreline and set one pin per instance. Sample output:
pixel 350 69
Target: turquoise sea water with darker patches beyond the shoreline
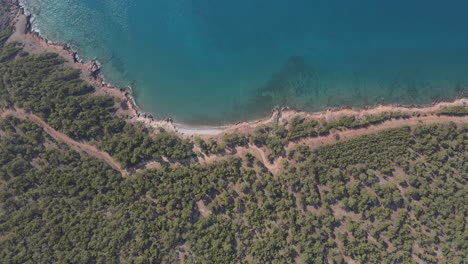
pixel 218 62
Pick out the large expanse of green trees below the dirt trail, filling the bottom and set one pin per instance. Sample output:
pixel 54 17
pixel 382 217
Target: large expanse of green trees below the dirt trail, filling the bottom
pixel 393 197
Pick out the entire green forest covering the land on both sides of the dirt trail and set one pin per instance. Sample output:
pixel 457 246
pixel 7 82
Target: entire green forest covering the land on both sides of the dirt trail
pixel 397 196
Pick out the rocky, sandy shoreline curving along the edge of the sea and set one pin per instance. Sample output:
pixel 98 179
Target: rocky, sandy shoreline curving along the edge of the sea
pixel 34 43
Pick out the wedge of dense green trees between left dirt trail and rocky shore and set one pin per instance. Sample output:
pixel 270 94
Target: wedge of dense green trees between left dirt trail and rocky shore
pixel 42 85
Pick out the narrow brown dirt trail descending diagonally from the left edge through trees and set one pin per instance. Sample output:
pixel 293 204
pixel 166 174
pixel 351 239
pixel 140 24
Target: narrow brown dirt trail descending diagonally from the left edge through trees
pixel 75 145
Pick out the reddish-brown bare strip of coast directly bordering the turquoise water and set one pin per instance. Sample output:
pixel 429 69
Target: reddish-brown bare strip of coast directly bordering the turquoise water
pixel 34 44
